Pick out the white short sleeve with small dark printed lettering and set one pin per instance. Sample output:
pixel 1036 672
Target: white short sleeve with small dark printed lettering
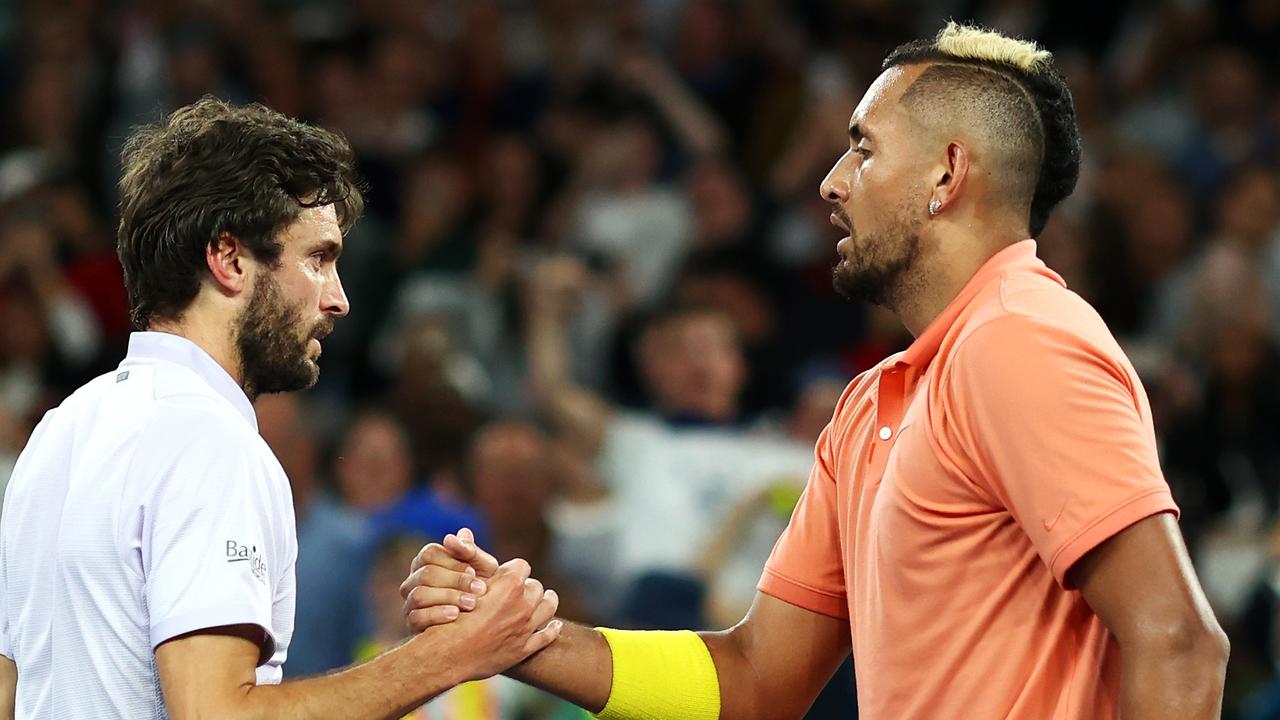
pixel 209 541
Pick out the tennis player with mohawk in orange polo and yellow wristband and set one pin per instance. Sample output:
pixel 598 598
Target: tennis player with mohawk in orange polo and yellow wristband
pixel 986 525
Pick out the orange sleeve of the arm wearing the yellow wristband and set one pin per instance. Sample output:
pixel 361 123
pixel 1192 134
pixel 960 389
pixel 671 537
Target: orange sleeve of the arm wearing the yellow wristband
pixel 807 568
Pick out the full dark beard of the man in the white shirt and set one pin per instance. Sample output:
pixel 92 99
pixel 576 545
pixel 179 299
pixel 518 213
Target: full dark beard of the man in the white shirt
pixel 273 356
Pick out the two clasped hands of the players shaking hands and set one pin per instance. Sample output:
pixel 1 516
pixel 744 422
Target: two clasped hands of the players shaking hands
pixel 482 617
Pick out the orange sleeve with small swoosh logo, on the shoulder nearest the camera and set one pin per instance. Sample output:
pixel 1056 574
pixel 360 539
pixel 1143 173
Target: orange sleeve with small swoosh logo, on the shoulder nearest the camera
pixel 1060 432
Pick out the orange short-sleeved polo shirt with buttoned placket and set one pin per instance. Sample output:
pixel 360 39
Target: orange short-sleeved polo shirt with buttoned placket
pixel 953 491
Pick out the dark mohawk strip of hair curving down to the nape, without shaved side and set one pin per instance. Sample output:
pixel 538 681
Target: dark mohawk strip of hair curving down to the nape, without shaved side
pixel 1057 133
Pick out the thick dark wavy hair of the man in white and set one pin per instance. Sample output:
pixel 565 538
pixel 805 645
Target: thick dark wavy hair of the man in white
pixel 212 168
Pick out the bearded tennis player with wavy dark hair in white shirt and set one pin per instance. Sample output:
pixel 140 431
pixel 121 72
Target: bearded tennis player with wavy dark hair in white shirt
pixel 148 541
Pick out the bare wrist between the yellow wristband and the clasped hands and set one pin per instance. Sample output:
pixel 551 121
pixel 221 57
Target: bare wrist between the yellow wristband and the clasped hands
pixel 578 668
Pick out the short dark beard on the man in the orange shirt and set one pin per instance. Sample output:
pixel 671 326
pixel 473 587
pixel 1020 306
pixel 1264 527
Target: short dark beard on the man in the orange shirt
pixel 876 276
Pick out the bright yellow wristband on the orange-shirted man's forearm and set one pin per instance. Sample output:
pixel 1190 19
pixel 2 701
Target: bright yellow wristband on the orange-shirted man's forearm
pixel 661 676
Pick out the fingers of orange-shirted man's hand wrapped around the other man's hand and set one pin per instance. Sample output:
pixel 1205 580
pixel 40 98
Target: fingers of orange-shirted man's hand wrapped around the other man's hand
pixel 446 581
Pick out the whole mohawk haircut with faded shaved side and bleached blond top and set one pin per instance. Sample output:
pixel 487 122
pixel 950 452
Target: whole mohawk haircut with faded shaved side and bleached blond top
pixel 1011 95
